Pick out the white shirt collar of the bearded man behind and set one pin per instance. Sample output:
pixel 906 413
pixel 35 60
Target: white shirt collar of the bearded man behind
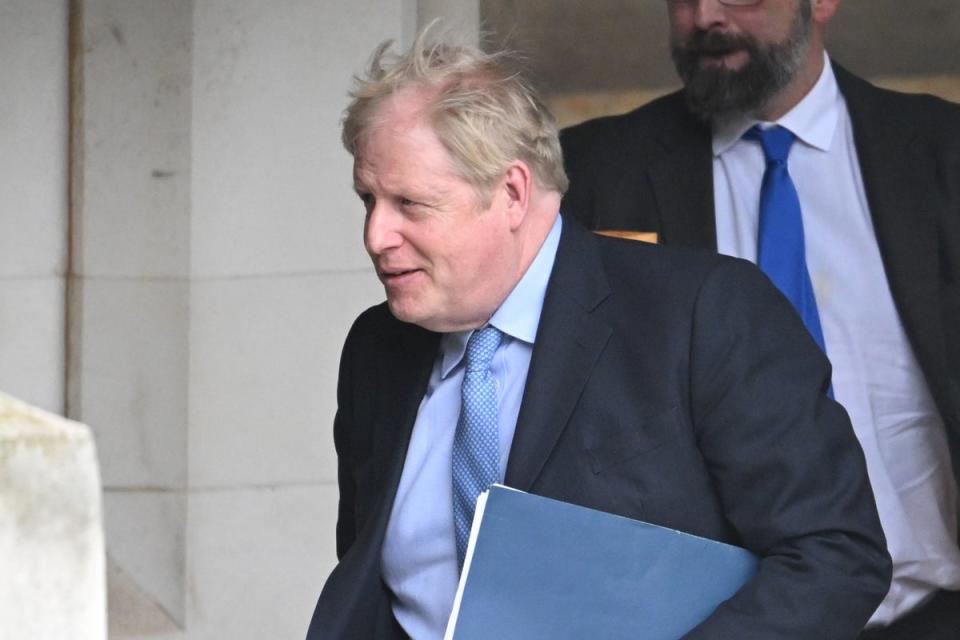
pixel 813 120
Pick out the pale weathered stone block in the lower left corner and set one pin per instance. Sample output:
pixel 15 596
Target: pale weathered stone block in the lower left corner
pixel 52 581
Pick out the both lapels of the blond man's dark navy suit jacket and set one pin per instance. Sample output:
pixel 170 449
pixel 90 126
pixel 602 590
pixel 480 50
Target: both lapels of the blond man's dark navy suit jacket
pixel 569 339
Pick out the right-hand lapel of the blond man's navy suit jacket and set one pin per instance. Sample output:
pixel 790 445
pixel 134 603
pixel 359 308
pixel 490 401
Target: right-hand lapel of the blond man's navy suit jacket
pixel 569 340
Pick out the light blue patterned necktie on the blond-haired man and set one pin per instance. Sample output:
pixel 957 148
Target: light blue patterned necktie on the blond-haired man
pixel 476 445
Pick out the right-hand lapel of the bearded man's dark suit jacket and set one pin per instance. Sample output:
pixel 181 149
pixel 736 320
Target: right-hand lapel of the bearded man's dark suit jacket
pixel 897 179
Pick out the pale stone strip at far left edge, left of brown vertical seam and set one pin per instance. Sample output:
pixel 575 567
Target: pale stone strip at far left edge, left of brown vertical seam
pixel 33 199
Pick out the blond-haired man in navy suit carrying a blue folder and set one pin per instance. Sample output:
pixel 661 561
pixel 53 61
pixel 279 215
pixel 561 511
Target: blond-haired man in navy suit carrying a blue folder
pixel 674 387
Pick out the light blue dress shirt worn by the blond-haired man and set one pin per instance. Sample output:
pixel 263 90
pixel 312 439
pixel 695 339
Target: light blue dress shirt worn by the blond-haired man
pixel 419 560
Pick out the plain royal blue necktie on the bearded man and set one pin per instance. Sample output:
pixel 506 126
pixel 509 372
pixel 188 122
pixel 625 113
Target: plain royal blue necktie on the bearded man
pixel 781 251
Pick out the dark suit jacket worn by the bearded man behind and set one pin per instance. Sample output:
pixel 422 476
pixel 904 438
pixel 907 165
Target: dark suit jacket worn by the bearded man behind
pixel 651 170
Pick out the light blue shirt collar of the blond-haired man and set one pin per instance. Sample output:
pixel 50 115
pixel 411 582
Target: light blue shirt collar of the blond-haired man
pixel 519 315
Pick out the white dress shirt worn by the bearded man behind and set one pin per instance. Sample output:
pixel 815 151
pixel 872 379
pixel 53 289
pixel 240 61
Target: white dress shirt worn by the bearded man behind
pixel 875 374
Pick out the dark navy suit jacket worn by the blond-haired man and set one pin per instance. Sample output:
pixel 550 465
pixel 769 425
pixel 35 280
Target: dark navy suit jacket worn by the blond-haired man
pixel 673 386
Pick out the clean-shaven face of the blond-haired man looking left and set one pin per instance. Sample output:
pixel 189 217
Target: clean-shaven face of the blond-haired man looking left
pixel 446 260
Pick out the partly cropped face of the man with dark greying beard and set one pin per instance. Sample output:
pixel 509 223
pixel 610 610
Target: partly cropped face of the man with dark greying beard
pixel 735 59
